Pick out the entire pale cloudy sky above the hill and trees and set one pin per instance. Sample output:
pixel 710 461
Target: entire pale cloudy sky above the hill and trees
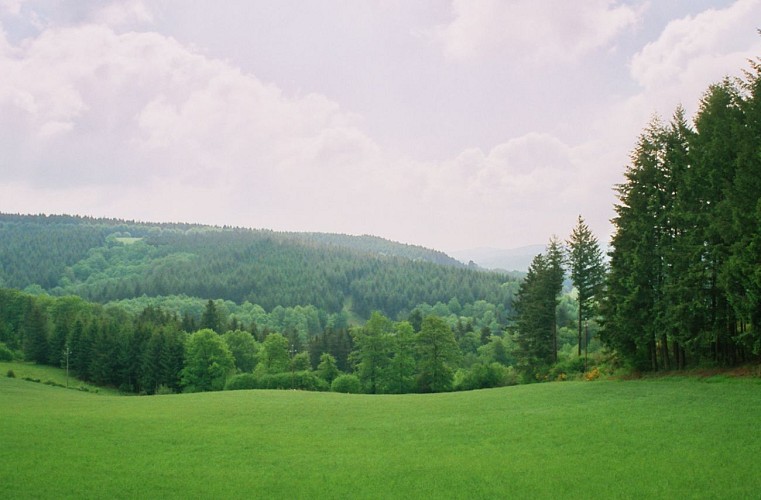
pixel 448 124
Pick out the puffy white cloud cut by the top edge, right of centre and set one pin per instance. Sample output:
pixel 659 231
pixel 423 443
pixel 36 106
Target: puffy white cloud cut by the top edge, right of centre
pixel 530 31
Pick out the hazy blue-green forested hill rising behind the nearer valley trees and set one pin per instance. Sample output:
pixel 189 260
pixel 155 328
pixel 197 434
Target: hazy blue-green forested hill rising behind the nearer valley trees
pixel 105 260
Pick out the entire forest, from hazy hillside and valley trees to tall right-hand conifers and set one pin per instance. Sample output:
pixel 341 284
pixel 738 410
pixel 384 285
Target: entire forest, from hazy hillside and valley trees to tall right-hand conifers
pixel 153 308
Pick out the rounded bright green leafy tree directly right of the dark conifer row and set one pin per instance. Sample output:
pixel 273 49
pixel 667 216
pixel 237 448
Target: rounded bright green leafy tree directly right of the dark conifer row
pixel 208 362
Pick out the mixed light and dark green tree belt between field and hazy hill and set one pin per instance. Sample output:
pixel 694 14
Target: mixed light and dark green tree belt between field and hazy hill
pixel 157 351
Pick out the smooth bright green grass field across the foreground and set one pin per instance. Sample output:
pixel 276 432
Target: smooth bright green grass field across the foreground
pixel 670 438
